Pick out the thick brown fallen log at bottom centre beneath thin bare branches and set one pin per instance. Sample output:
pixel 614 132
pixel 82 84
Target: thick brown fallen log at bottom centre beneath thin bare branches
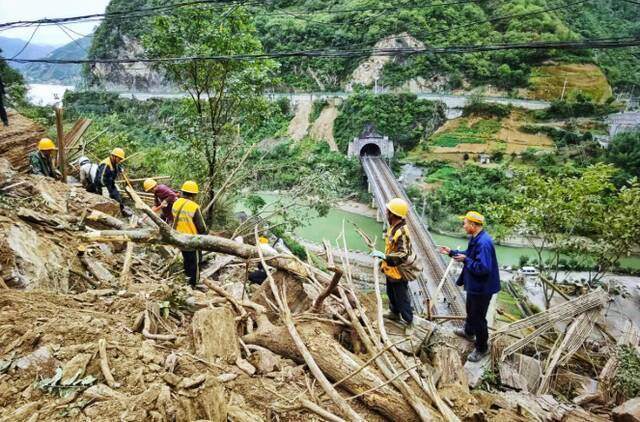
pixel 336 363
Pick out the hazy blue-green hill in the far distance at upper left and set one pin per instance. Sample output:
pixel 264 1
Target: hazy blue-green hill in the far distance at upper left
pixel 67 74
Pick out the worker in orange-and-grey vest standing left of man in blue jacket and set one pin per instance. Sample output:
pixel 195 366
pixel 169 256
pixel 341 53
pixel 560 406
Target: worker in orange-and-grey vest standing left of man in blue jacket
pixel 397 261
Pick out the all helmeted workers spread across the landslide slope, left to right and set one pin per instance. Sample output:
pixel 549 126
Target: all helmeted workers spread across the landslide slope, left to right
pixel 480 274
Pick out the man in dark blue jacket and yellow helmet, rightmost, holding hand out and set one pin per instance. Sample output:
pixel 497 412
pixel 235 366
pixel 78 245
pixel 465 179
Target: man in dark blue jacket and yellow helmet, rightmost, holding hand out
pixel 480 277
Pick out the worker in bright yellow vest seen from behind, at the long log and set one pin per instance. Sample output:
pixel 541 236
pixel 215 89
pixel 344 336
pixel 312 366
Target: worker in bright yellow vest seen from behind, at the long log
pixel 188 219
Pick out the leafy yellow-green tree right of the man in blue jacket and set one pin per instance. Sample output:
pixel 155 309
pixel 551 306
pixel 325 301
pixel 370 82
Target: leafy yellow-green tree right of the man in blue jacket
pixel 557 213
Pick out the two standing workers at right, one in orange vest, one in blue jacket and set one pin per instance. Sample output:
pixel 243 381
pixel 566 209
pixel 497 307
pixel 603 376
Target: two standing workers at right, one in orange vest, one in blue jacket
pixel 480 274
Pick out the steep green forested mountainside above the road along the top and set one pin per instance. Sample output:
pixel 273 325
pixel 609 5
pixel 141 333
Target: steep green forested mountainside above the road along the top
pixel 293 25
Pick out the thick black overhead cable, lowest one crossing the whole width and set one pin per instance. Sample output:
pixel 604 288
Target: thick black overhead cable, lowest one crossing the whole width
pixel 604 43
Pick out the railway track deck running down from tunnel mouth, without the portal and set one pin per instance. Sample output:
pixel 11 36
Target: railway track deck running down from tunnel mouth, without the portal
pixel 384 187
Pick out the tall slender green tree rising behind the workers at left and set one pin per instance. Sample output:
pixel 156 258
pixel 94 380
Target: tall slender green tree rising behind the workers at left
pixel 220 89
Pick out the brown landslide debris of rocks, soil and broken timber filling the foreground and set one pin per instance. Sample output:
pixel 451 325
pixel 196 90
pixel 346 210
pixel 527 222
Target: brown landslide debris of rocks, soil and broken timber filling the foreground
pixel 80 340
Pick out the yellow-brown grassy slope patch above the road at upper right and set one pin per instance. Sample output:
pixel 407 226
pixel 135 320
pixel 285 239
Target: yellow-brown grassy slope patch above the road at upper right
pixel 547 82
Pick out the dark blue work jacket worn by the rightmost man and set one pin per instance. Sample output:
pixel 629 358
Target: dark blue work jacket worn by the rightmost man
pixel 480 274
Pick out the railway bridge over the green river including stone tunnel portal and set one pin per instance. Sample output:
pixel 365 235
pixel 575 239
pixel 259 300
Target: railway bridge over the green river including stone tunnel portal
pixel 384 186
